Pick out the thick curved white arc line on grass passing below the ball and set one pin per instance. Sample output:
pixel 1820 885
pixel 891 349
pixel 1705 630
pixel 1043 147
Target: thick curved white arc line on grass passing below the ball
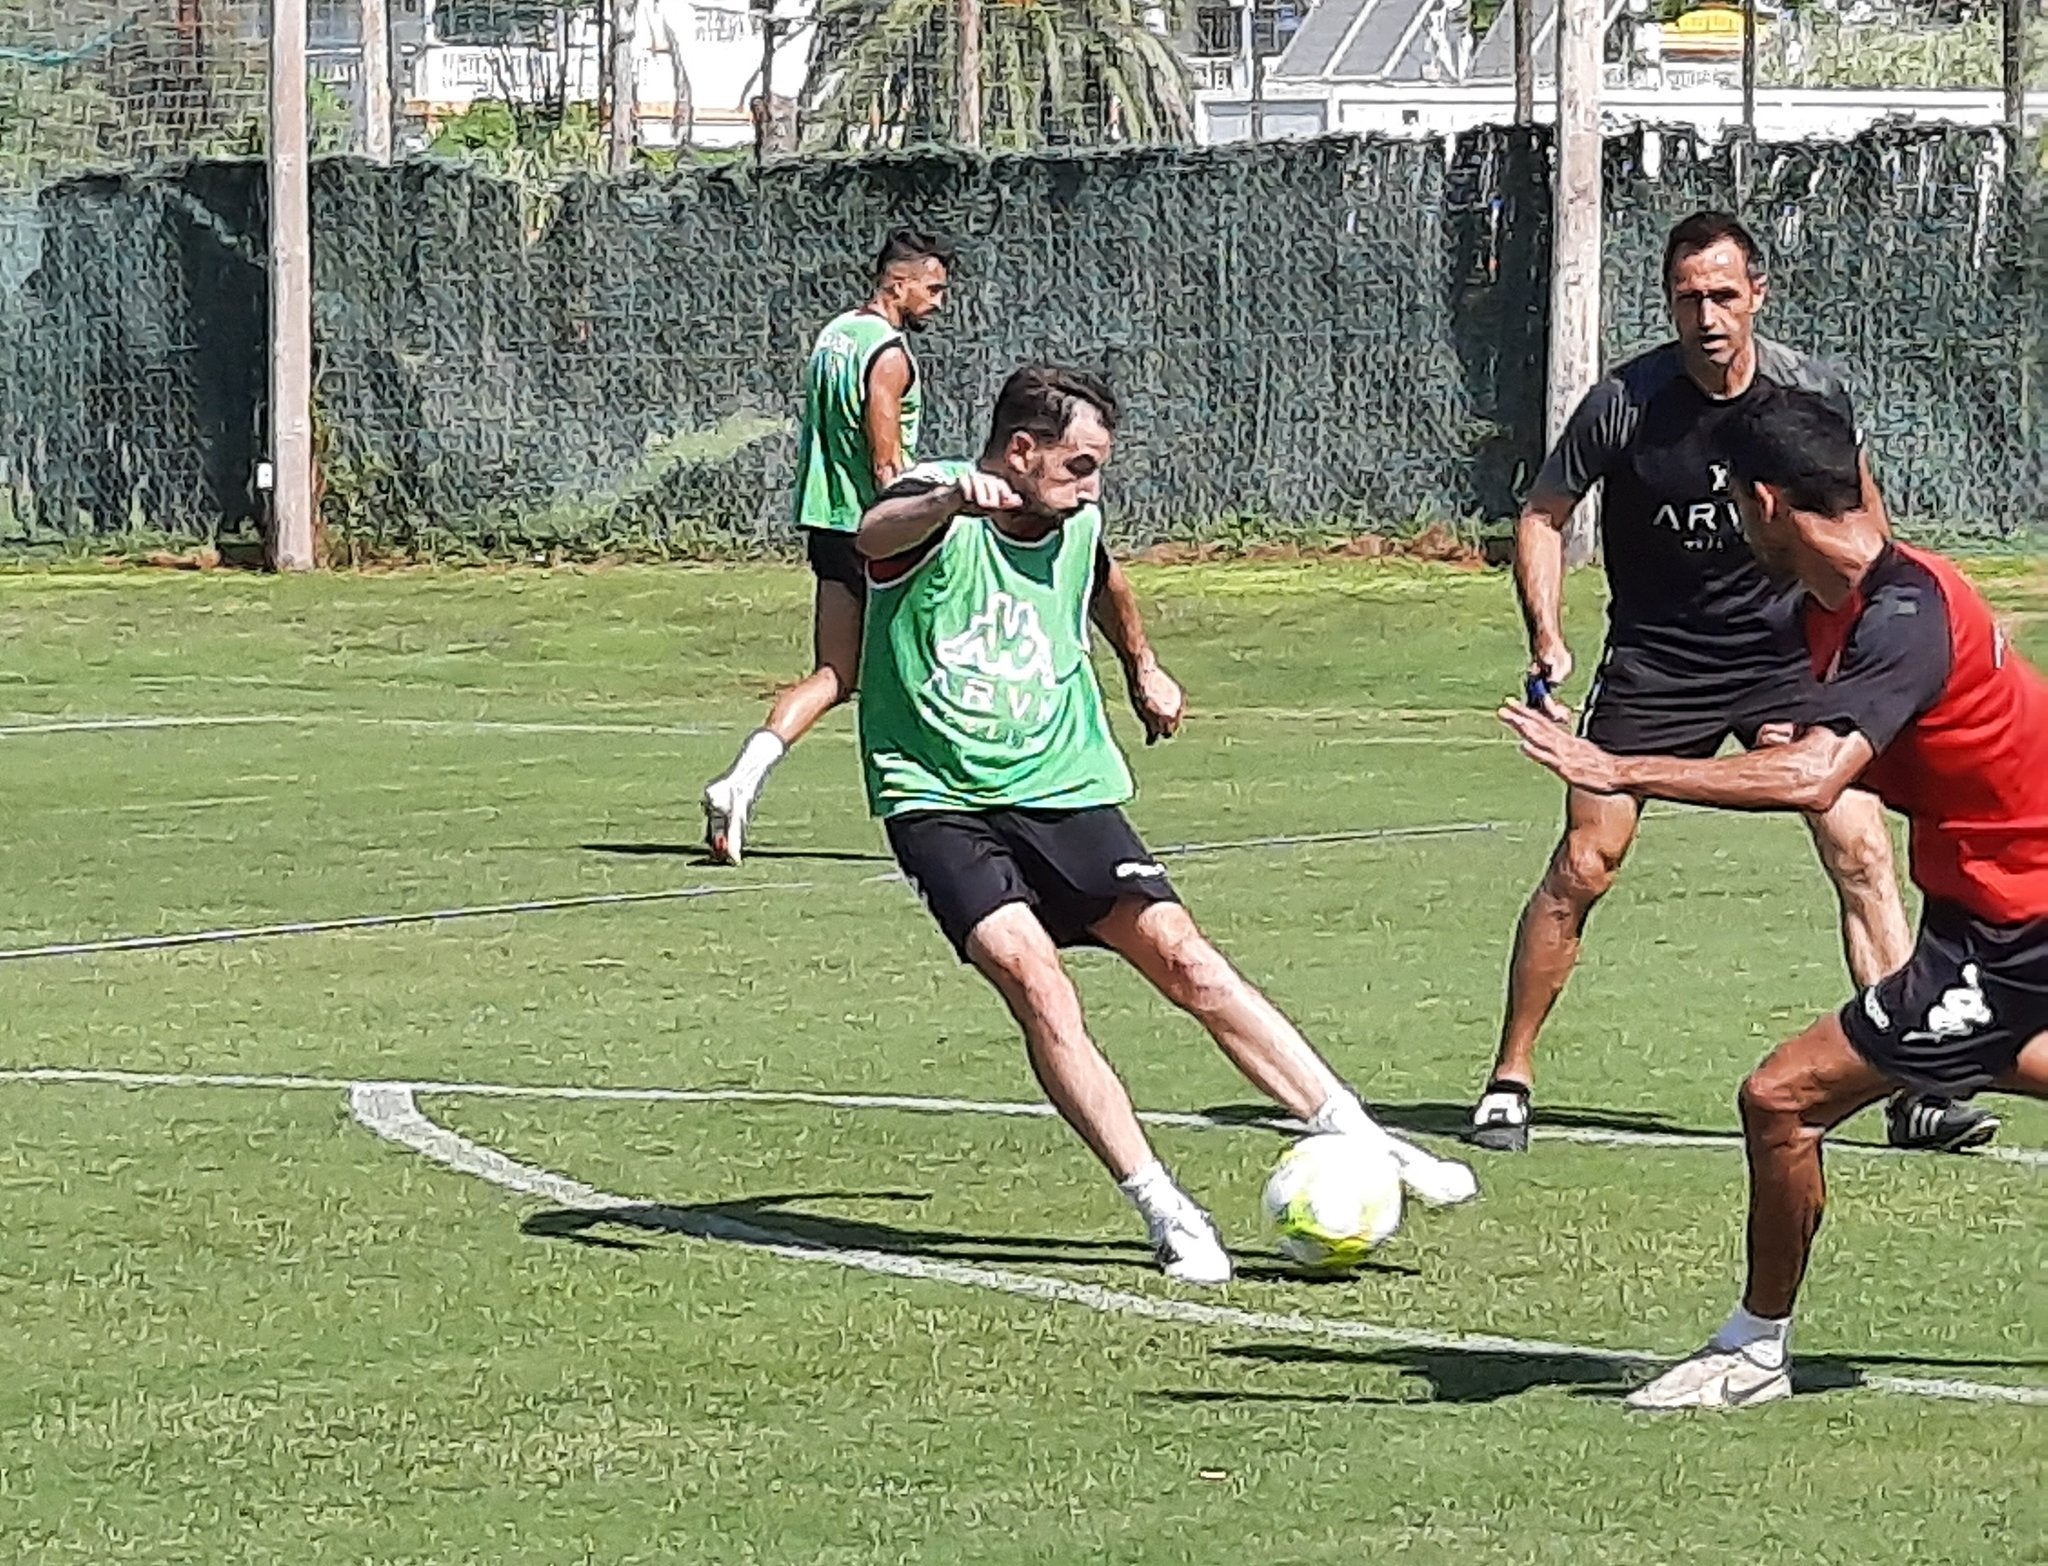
pixel 392 1113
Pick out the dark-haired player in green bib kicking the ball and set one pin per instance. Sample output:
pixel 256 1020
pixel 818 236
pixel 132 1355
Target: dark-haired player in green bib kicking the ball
pixel 990 760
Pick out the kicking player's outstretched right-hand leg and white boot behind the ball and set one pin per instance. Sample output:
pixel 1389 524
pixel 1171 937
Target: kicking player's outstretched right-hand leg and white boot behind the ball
pixel 1164 945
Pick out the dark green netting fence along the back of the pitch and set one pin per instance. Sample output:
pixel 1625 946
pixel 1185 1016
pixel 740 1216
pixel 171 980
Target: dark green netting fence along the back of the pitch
pixel 1310 337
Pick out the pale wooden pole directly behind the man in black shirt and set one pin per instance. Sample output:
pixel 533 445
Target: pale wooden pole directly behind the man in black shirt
pixel 1576 236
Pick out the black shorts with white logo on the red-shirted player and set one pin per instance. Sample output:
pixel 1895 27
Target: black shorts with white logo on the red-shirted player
pixel 1965 1006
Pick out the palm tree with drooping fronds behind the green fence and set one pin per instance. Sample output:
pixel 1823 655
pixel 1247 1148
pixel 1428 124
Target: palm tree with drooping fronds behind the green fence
pixel 1054 73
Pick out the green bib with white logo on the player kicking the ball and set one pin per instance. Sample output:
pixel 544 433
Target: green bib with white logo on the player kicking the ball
pixel 976 687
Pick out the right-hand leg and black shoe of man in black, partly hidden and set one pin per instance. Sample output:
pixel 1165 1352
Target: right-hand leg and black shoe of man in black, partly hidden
pixel 1857 851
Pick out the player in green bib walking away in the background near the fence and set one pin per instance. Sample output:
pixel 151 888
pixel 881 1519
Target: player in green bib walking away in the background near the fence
pixel 861 410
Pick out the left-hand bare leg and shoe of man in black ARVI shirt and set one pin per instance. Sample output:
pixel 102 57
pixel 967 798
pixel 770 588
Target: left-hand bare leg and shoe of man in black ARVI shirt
pixel 1598 834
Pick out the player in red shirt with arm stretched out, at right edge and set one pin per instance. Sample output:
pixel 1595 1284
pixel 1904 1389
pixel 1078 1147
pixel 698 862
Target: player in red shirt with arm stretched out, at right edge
pixel 1922 701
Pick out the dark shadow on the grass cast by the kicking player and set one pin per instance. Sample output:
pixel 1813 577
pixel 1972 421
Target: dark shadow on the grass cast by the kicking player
pixel 775 1221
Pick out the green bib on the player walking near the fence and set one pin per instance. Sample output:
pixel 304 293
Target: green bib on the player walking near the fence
pixel 835 466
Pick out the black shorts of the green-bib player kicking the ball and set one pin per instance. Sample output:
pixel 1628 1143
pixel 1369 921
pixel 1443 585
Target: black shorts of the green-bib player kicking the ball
pixel 1070 867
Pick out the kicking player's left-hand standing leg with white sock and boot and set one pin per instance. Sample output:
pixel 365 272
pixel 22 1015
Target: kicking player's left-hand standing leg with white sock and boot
pixel 1017 955
